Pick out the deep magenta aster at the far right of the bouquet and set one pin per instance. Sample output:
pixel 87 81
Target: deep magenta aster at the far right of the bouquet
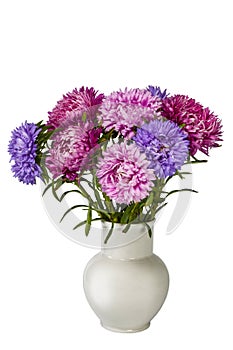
pixel 203 127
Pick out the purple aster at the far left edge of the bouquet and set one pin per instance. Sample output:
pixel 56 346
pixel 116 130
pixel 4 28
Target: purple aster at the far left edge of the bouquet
pixel 22 148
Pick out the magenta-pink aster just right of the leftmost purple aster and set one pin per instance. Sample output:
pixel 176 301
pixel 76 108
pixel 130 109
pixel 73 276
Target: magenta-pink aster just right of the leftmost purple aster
pixel 70 148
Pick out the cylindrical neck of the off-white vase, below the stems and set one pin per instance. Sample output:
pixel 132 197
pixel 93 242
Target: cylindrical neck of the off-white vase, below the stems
pixel 135 244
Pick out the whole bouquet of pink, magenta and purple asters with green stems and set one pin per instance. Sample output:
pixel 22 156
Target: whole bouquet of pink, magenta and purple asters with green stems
pixel 119 151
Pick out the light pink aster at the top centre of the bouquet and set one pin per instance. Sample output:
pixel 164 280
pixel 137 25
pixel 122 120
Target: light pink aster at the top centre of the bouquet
pixel 123 110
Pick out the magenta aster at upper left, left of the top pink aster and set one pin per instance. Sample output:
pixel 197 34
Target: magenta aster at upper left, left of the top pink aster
pixel 76 101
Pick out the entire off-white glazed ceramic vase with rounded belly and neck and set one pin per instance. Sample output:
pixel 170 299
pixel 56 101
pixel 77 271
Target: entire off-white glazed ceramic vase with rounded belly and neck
pixel 126 284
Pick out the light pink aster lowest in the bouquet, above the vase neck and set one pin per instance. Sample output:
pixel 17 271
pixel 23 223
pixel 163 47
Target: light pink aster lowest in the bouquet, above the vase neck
pixel 124 175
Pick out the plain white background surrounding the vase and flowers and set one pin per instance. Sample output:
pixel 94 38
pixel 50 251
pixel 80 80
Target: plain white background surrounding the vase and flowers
pixel 50 47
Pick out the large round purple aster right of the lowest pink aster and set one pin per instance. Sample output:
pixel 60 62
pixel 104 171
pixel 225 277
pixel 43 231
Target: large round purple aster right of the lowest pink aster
pixel 165 146
